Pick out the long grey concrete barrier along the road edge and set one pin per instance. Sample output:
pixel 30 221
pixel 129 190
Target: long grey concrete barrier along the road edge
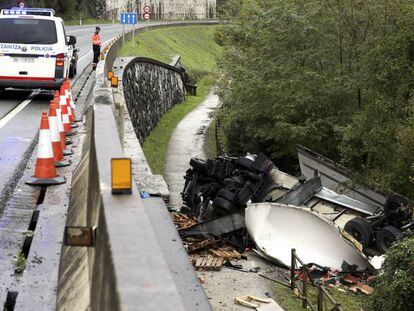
pixel 138 261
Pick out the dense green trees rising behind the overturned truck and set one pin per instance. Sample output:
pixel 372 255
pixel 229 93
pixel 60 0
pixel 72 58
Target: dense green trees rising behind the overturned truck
pixel 333 75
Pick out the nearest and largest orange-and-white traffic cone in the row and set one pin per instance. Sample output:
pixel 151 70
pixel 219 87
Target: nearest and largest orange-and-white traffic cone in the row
pixel 45 172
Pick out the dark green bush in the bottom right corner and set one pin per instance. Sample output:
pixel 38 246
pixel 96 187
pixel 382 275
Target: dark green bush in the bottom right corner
pixel 394 290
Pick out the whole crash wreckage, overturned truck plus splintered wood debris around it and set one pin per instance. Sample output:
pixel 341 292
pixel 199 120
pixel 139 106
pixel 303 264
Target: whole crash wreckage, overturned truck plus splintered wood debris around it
pixel 235 203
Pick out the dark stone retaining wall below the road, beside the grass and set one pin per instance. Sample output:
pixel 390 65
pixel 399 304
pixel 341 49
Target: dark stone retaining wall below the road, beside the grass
pixel 151 89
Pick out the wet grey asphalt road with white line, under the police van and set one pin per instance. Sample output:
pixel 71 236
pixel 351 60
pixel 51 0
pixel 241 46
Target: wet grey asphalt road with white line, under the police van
pixel 20 110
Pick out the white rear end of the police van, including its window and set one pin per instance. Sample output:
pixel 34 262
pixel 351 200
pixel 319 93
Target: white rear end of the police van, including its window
pixel 28 48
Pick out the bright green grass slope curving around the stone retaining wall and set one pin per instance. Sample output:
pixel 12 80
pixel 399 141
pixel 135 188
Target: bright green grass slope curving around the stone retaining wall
pixel 199 53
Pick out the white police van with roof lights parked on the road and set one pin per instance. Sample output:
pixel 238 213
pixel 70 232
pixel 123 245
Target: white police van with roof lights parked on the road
pixel 34 49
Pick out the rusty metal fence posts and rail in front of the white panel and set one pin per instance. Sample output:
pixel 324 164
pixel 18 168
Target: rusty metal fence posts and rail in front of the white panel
pixel 303 290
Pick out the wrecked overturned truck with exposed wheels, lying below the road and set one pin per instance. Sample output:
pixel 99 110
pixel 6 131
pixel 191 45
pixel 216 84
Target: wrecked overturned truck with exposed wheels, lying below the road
pixel 218 191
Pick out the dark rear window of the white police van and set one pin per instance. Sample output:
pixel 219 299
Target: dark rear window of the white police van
pixel 27 31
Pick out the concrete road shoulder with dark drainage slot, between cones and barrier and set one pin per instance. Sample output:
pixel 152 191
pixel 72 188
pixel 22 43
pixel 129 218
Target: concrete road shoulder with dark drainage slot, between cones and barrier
pixel 37 249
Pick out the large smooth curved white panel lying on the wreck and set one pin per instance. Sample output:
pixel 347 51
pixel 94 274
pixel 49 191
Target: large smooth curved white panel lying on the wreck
pixel 277 228
